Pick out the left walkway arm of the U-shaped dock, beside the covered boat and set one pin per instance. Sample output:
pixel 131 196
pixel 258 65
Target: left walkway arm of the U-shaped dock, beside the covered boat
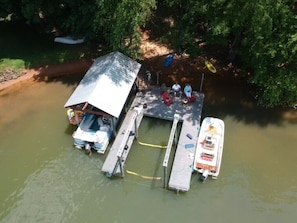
pixel 122 144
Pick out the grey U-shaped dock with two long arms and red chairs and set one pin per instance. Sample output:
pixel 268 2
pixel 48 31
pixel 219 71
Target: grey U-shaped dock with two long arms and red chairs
pixel 151 104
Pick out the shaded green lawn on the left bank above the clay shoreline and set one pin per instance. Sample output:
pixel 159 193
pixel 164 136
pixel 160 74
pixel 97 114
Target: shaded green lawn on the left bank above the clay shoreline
pixel 22 46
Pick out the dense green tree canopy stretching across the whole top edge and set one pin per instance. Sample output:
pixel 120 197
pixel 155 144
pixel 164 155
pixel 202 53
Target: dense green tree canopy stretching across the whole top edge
pixel 261 34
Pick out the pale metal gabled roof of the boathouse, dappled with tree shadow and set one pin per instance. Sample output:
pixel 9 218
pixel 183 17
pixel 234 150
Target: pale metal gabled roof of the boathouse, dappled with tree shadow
pixel 107 84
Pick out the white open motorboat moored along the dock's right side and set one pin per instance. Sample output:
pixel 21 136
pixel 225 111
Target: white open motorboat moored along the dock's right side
pixel 209 149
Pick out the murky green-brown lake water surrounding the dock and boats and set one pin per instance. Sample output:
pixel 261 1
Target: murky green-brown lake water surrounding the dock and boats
pixel 44 179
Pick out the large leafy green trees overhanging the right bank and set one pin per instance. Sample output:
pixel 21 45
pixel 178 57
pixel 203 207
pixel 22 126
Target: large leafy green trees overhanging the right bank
pixel 262 33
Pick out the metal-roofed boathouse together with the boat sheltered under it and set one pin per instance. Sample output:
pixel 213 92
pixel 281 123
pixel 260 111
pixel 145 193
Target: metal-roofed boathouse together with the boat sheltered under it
pixel 100 99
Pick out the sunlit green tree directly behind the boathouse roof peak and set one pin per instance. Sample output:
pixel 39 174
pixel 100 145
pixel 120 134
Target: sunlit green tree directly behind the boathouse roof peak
pixel 120 22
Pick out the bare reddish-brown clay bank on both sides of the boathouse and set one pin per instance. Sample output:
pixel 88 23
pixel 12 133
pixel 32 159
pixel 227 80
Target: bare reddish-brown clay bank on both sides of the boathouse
pixel 183 69
